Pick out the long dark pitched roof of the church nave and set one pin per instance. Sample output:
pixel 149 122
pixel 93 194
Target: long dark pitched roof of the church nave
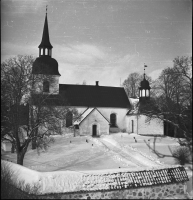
pixel 89 96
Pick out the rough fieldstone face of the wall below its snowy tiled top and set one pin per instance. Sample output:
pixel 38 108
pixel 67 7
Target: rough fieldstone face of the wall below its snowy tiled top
pixel 154 192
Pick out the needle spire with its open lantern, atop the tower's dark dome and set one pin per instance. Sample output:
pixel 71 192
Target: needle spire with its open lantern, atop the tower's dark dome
pixel 45 45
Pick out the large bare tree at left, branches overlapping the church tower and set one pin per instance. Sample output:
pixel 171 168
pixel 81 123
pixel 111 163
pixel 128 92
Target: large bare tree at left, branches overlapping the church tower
pixel 45 111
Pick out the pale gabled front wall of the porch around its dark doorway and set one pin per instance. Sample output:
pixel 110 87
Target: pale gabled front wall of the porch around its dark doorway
pixel 95 118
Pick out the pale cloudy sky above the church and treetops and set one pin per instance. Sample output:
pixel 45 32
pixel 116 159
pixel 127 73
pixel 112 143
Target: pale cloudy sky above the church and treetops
pixel 100 40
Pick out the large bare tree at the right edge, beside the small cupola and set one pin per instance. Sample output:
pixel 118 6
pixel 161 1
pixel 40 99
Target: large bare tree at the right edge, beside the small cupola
pixel 173 101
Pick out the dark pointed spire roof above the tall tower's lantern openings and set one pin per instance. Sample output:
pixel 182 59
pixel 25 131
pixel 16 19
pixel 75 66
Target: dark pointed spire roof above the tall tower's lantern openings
pixel 45 37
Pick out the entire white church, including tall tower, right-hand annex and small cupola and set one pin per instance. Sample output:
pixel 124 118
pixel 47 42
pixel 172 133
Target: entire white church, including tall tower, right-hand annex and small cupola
pixel 103 110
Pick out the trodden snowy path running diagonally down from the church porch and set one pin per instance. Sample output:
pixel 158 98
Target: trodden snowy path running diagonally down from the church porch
pixel 128 154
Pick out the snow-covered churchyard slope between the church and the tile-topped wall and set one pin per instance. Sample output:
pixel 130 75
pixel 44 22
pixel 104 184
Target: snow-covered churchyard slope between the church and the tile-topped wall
pixel 112 153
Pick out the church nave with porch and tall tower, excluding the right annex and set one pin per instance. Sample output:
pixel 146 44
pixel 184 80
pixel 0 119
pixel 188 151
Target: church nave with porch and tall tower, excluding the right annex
pixel 103 109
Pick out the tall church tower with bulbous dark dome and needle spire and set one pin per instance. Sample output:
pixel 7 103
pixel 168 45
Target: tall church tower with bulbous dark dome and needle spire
pixel 45 68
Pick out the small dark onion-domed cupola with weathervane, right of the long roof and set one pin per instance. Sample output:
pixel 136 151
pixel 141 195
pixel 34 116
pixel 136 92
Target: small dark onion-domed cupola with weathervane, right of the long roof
pixel 144 89
